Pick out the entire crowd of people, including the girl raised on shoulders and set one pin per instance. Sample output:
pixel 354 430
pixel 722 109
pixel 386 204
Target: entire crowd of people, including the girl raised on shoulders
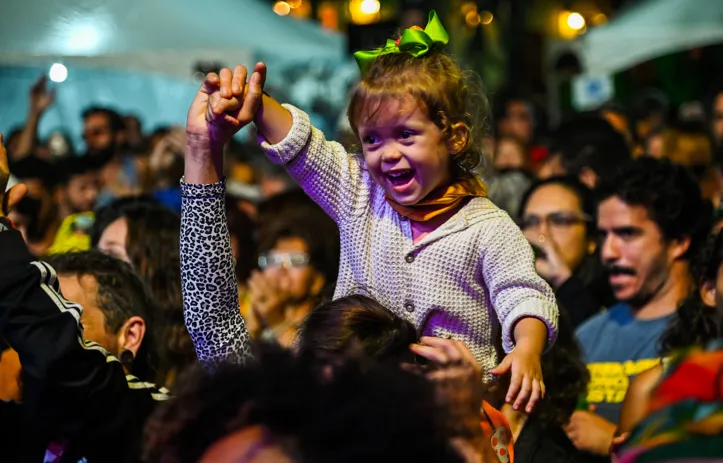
pixel 449 293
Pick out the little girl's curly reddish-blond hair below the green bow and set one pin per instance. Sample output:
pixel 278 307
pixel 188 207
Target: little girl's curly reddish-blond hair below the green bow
pixel 443 90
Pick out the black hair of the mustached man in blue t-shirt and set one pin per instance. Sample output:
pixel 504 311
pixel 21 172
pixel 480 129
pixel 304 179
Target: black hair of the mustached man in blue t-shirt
pixel 670 195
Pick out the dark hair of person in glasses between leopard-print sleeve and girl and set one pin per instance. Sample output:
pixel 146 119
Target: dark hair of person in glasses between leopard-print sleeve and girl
pixel 293 214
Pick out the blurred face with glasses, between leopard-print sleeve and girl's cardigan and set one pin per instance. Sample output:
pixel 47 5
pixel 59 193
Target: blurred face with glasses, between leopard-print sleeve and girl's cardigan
pixel 295 276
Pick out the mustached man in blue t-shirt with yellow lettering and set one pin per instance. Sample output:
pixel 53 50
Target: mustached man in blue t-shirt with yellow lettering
pixel 651 219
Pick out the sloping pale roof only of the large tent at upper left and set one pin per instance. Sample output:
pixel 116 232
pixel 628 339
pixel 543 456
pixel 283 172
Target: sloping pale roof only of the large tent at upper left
pixel 167 36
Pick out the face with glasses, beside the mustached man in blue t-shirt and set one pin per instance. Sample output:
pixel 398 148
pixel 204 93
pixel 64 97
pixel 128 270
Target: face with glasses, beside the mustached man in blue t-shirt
pixel 555 212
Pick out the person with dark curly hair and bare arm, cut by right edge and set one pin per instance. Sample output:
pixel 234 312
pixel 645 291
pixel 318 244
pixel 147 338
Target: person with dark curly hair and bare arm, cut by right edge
pixel 696 323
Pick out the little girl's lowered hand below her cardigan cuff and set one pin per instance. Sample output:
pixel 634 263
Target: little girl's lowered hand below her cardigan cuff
pixel 526 384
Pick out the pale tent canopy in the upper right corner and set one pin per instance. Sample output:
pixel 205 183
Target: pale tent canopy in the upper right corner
pixel 649 30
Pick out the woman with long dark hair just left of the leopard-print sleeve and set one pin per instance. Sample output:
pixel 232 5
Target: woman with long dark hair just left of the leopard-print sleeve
pixel 146 235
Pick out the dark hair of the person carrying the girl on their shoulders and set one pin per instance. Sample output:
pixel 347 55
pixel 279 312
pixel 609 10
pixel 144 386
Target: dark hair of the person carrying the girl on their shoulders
pixel 357 324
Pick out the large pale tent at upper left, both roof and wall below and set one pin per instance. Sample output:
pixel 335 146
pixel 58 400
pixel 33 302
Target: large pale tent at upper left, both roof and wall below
pixel 139 56
